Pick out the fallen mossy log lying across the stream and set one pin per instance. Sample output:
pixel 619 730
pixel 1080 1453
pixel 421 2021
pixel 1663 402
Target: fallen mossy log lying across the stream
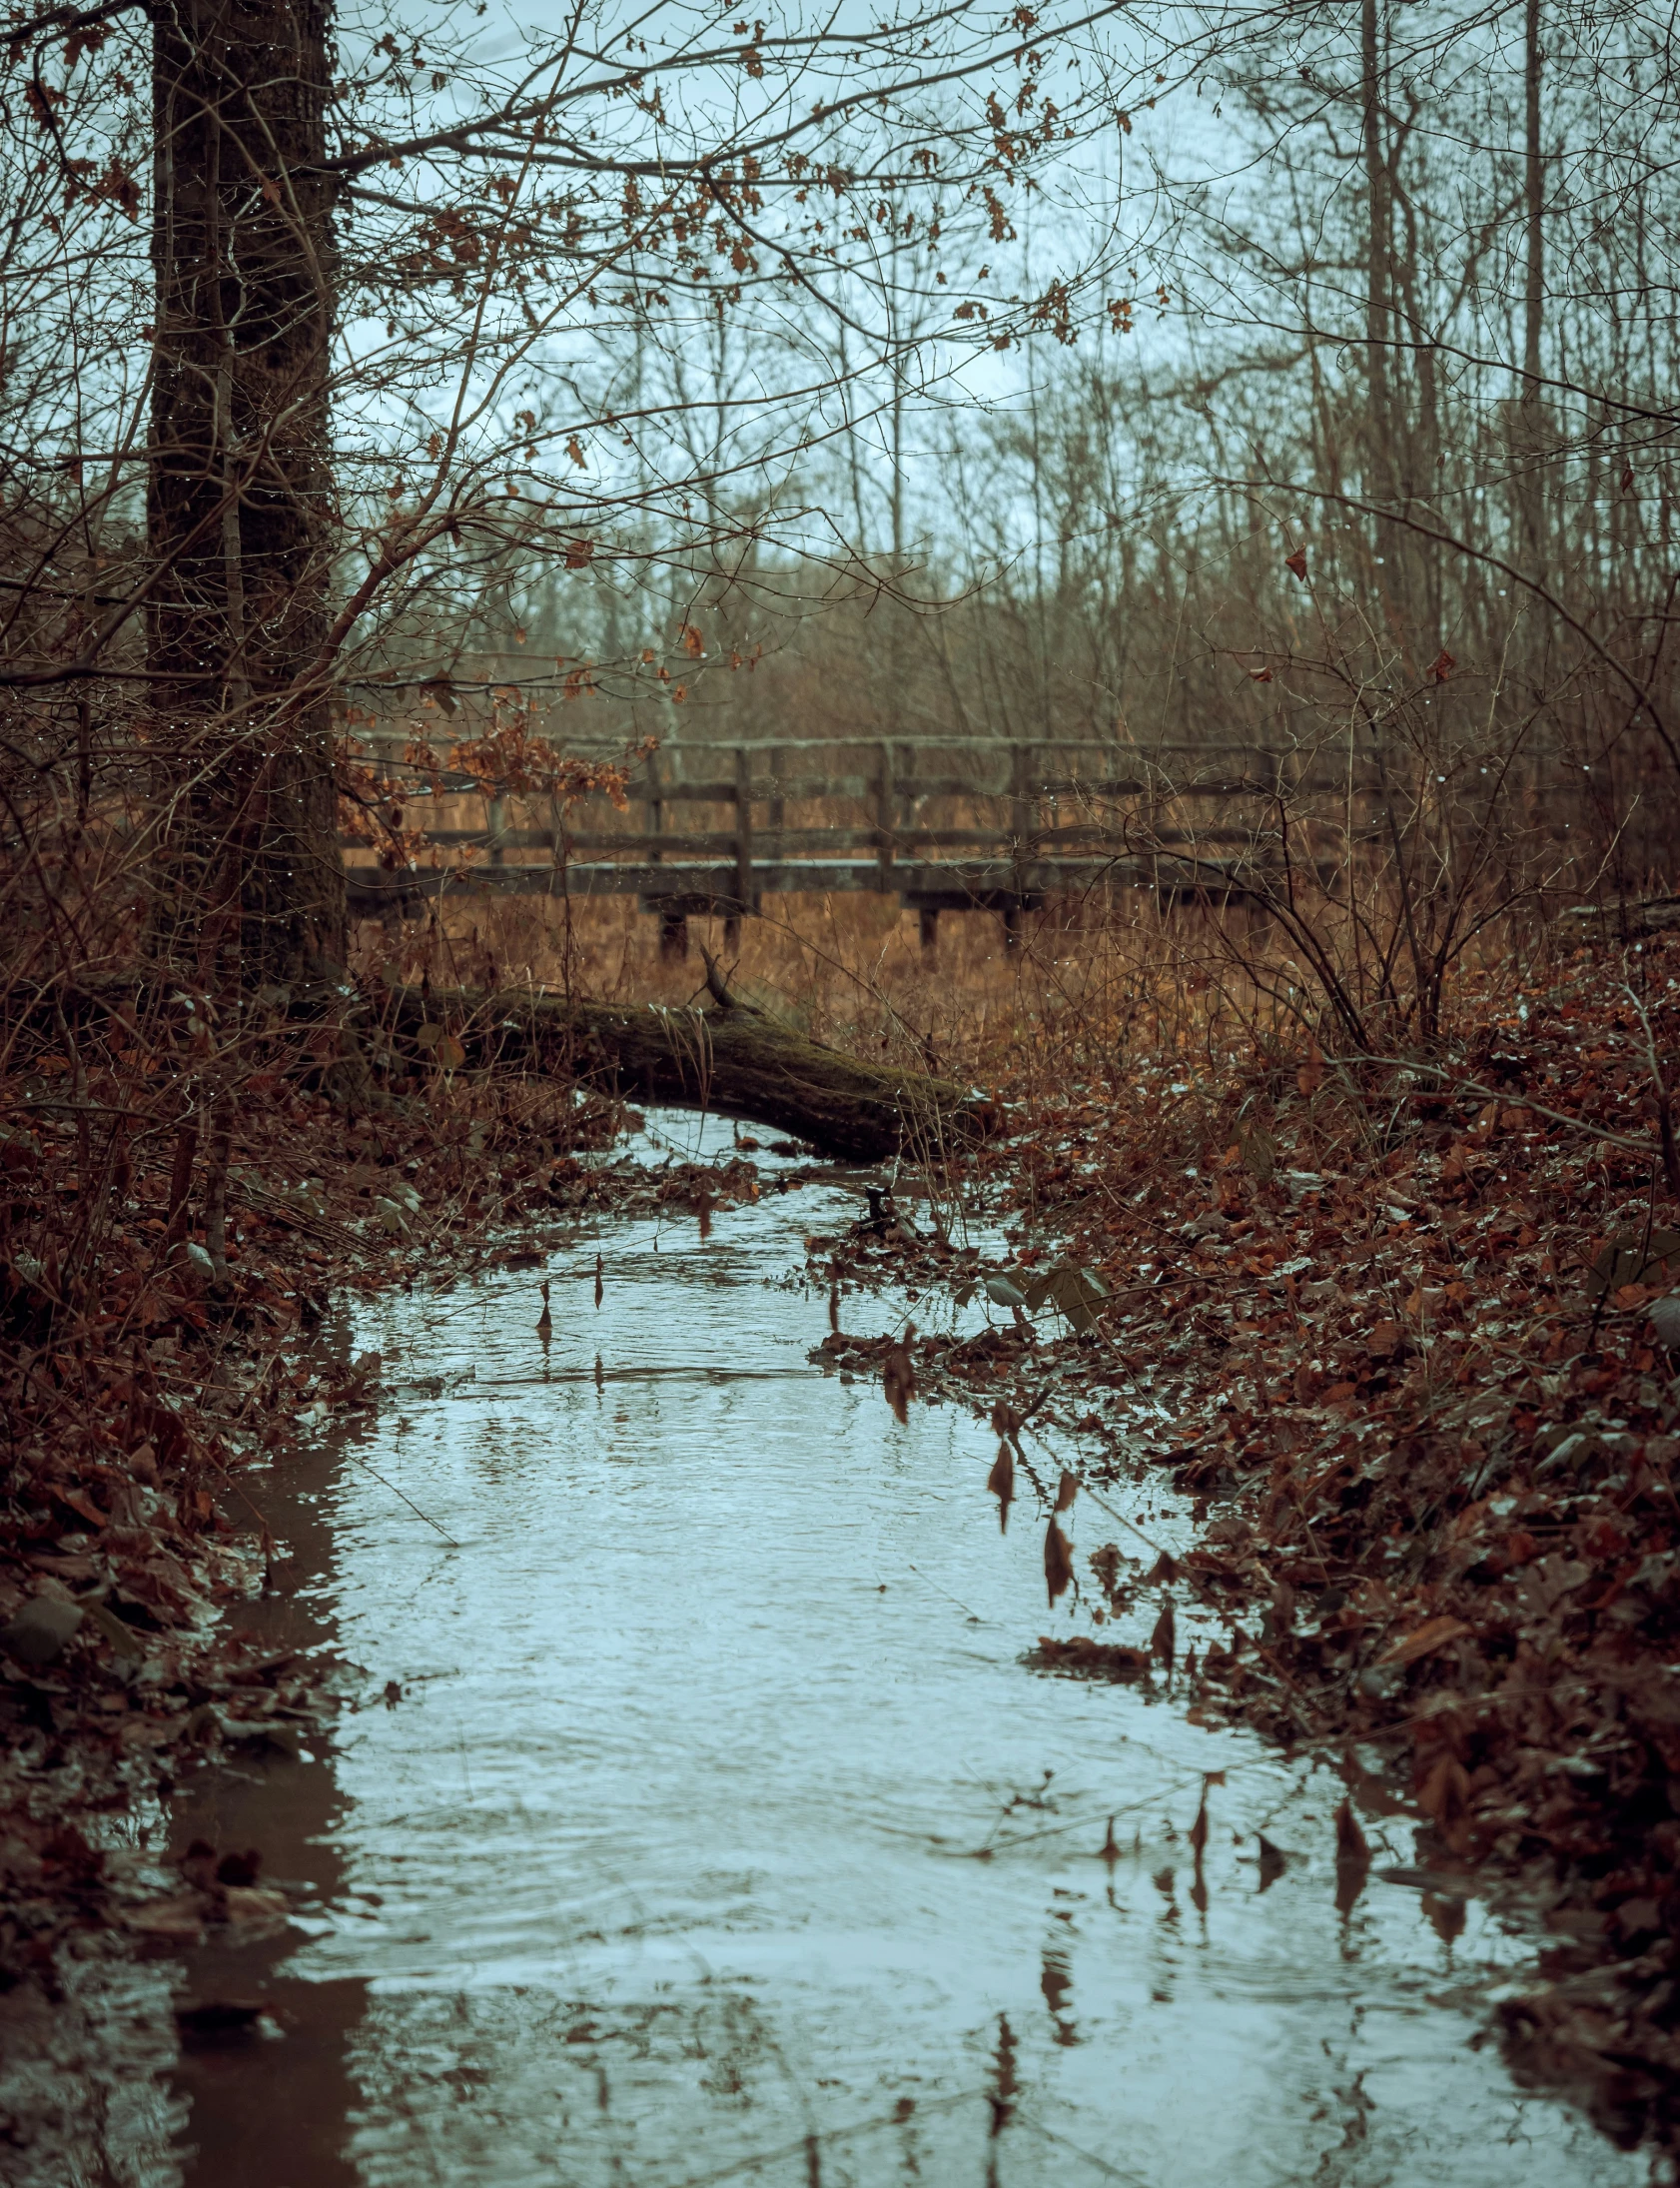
pixel 727 1058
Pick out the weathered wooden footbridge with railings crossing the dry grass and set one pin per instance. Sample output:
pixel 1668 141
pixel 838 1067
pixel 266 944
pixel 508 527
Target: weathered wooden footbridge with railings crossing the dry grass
pixel 937 824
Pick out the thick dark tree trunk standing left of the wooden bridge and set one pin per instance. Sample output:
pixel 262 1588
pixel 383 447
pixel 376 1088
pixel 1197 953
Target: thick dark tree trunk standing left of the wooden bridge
pixel 240 485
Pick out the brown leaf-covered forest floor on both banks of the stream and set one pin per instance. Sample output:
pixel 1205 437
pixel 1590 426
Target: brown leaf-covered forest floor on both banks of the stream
pixel 1401 1336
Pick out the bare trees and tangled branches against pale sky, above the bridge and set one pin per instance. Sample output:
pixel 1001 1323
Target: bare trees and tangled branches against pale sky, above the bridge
pixel 1274 377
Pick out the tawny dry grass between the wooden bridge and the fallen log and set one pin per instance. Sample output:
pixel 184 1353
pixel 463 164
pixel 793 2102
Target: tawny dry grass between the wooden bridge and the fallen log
pixel 1088 990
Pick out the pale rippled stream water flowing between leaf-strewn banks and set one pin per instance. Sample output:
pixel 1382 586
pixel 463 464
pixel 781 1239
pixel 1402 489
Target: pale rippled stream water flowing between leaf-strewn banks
pixel 701 1822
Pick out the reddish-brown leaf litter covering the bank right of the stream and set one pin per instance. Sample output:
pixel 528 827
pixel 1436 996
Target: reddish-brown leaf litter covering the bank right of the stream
pixel 1405 1342
